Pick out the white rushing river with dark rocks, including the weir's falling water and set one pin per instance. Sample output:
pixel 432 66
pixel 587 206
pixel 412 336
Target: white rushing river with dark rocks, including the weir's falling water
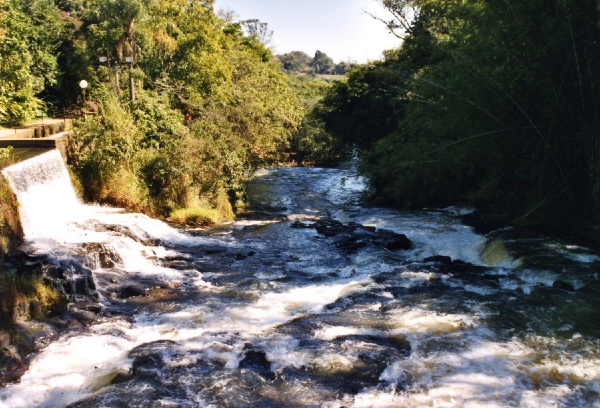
pixel 269 312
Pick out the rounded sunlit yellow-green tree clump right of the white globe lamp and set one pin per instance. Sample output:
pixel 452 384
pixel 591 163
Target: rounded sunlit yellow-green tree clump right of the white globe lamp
pixel 209 106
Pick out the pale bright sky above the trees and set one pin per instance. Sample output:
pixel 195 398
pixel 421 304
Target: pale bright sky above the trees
pixel 339 28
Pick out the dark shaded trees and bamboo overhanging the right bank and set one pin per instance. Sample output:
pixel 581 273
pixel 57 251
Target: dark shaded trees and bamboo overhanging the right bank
pixel 489 103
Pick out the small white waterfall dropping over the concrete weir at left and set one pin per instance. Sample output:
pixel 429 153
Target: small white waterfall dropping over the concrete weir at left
pixel 46 196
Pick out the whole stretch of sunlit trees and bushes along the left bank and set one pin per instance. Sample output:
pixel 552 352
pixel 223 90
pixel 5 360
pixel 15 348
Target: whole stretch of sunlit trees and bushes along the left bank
pixel 209 105
